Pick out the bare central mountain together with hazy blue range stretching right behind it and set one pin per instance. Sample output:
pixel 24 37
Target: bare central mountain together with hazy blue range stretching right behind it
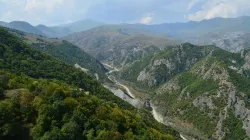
pixel 122 44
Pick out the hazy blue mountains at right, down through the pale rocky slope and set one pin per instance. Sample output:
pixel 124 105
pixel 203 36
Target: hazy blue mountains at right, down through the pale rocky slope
pixel 212 31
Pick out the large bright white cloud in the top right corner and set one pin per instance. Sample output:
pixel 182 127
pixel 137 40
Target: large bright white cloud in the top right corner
pixel 220 8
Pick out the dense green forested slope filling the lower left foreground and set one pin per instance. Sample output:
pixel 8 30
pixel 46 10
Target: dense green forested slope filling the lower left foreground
pixel 46 99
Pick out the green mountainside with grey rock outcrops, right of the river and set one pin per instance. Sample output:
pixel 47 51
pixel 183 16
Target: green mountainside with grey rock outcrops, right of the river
pixel 202 91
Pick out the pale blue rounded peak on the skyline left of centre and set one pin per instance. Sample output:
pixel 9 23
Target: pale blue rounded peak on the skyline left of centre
pixel 83 25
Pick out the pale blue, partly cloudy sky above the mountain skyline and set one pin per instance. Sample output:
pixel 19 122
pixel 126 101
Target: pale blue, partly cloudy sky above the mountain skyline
pixel 56 12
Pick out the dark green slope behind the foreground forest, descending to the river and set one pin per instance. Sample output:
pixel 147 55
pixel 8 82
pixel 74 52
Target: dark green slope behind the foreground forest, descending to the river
pixel 65 52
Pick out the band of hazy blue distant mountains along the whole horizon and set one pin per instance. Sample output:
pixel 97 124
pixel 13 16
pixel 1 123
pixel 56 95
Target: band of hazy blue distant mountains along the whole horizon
pixel 218 31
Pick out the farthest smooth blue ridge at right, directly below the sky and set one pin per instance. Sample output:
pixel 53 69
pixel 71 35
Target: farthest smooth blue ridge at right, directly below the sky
pixel 216 25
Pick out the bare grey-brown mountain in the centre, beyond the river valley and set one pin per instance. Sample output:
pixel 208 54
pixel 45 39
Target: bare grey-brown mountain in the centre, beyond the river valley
pixel 114 46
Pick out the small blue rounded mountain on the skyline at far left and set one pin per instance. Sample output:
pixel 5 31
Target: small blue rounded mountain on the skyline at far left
pixel 25 27
